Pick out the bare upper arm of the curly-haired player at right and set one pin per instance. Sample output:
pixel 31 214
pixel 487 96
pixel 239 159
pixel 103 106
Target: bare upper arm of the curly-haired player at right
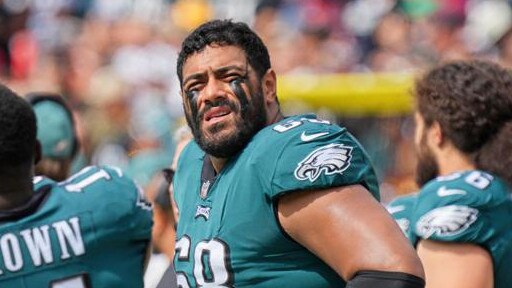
pixel 456 265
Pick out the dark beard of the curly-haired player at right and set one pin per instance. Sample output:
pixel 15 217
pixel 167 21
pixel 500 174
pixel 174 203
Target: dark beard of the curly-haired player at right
pixel 426 168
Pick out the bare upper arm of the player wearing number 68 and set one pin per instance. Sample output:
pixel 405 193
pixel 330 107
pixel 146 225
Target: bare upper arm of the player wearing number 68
pixel 349 230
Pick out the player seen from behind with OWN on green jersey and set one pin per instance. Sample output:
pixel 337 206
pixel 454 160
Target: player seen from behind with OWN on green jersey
pixel 91 230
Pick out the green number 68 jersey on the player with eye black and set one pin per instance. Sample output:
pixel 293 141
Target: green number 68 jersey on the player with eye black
pixel 228 234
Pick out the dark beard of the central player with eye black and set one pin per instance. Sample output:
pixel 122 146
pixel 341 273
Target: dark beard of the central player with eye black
pixel 250 120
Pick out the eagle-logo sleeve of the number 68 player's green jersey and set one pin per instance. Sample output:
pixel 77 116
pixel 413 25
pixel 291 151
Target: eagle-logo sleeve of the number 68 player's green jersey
pixel 318 155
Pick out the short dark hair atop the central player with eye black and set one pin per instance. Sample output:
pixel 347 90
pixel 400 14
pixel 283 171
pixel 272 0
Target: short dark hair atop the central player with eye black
pixel 226 33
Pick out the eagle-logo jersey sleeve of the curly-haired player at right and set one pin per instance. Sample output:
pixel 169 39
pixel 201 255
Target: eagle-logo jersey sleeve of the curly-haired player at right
pixel 457 210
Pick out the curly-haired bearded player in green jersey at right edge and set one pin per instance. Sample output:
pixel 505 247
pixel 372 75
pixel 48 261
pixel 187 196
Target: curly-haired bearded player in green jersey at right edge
pixel 461 218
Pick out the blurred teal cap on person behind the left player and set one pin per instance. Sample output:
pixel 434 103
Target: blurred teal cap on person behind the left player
pixel 54 130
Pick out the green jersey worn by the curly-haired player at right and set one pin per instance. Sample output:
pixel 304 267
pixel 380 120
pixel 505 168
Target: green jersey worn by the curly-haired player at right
pixel 469 207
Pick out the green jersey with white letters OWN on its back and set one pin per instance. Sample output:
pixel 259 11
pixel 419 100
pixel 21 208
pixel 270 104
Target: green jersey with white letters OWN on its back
pixel 91 230
